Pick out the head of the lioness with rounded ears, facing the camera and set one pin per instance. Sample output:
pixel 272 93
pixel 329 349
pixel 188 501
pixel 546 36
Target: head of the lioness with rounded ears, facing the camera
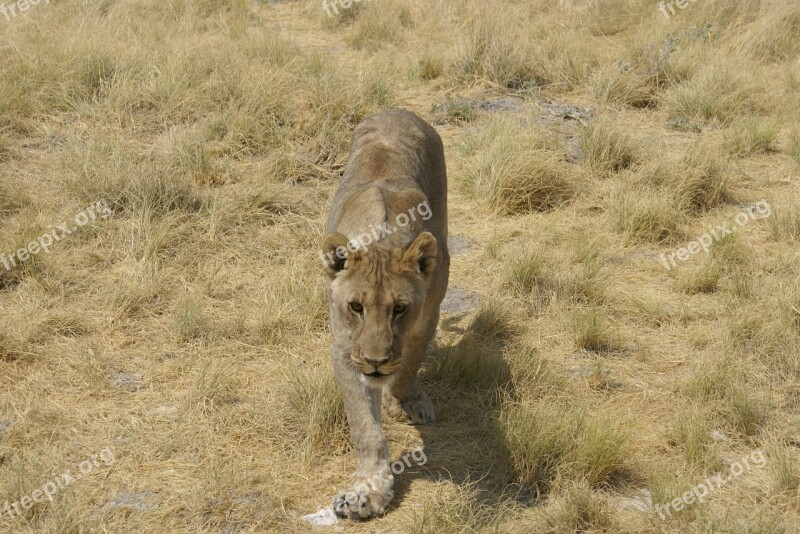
pixel 377 295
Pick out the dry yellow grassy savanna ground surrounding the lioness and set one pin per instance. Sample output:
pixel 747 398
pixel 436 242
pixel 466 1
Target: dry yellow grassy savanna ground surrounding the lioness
pixel 578 382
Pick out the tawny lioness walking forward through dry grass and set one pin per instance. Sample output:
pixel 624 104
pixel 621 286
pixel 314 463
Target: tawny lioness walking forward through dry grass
pixel 387 266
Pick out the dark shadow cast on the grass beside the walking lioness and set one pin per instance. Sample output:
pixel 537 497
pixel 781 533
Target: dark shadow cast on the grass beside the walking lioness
pixel 467 381
